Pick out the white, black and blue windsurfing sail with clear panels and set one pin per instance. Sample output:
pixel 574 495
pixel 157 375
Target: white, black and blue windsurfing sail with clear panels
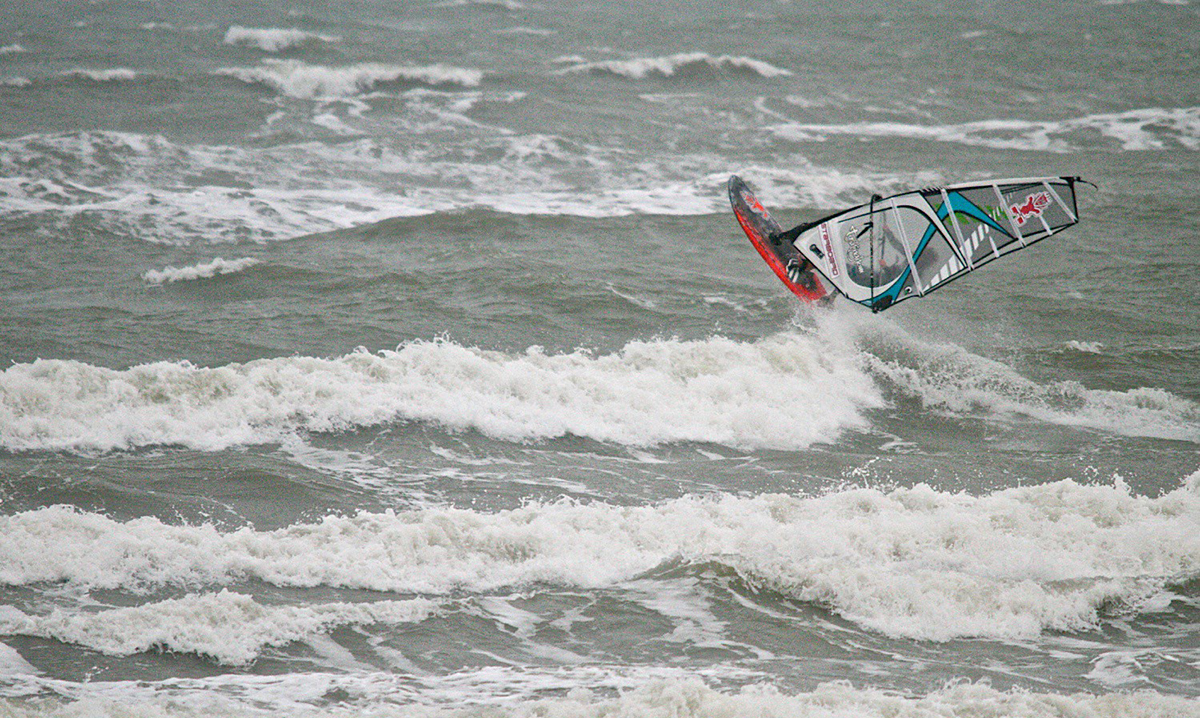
pixel 908 246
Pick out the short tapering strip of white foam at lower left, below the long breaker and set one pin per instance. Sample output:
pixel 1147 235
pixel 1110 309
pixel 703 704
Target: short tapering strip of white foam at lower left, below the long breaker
pixel 231 629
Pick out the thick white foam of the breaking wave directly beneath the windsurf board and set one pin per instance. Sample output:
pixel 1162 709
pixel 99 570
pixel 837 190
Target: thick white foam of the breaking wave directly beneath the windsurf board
pixel 785 392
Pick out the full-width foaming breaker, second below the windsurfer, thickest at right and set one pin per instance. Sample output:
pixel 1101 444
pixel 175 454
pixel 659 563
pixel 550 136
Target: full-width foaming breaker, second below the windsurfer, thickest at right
pixel 908 563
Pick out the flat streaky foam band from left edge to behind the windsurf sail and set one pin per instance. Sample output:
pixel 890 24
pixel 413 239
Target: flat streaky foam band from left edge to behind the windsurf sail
pixel 131 183
